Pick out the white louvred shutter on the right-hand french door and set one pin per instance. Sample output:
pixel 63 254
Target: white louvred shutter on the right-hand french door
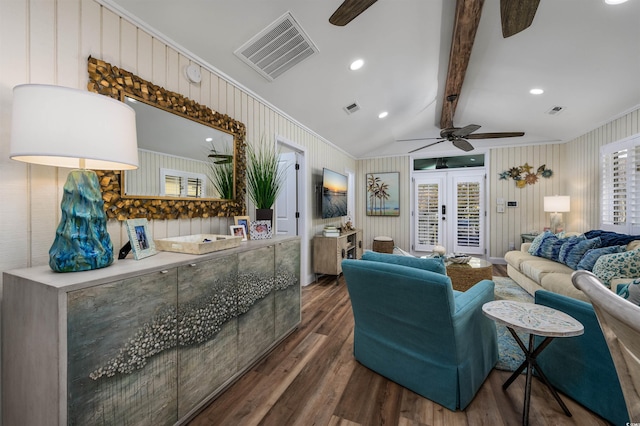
pixel 469 215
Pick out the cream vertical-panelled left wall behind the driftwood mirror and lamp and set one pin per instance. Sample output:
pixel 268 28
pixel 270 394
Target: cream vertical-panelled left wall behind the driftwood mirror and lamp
pixel 49 42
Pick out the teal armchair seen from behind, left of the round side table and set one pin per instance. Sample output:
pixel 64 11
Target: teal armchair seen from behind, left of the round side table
pixel 414 329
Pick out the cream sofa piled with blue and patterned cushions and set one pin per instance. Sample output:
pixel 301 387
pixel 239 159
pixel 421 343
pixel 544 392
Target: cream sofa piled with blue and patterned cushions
pixel 548 262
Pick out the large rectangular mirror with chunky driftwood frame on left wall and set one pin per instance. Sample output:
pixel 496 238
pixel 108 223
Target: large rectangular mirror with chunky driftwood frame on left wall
pixel 203 199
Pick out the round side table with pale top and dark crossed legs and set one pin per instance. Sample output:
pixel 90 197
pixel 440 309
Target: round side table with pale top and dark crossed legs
pixel 536 320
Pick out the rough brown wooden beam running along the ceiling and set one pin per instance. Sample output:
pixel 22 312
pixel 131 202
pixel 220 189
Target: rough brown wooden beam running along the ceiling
pixel 467 18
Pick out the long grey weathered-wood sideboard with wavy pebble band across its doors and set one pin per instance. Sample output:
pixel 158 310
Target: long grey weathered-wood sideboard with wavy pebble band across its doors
pixel 146 342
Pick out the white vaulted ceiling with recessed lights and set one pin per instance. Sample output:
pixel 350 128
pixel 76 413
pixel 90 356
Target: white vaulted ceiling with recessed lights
pixel 584 54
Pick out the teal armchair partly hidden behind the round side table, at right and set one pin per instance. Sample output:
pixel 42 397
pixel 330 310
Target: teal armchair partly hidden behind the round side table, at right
pixel 581 367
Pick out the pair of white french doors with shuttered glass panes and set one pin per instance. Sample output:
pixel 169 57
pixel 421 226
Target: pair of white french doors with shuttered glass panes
pixel 449 211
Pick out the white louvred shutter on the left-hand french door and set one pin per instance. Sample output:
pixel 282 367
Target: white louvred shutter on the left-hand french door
pixel 427 213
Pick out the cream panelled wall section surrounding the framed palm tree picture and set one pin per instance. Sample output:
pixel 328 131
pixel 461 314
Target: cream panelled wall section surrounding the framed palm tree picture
pixel 399 227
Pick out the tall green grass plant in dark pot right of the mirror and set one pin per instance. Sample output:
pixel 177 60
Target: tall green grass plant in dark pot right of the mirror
pixel 264 178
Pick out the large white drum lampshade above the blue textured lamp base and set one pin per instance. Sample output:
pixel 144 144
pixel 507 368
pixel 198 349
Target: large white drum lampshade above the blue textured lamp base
pixel 59 126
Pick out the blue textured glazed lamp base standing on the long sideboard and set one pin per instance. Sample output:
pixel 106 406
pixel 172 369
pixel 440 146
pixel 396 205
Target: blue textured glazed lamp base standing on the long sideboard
pixel 82 242
